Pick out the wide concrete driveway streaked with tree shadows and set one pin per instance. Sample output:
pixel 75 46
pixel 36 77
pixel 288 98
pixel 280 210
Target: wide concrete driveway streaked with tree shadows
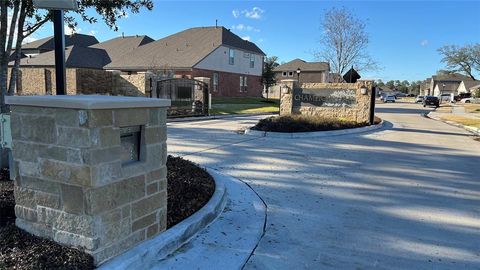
pixel 405 197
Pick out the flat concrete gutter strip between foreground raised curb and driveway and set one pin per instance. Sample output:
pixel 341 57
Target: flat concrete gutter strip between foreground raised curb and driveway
pixel 230 240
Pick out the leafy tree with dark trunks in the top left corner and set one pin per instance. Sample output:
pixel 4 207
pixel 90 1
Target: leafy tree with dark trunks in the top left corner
pixel 26 19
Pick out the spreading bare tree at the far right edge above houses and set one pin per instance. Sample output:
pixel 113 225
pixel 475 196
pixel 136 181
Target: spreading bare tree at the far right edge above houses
pixel 464 59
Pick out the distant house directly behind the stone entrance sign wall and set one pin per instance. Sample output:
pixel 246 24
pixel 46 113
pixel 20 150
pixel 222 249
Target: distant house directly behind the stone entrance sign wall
pixel 310 72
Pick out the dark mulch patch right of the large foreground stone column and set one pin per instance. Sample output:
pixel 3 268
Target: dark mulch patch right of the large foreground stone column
pixel 189 189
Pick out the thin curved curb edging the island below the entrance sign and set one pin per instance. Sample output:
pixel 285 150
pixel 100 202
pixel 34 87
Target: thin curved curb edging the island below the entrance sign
pixel 315 134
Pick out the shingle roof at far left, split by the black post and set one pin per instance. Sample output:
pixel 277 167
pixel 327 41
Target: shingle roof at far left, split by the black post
pixel 75 57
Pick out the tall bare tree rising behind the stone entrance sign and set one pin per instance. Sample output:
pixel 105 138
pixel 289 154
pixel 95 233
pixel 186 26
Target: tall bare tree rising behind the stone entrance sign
pixel 344 42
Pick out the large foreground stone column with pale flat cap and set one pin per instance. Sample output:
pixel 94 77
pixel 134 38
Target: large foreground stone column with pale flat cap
pixel 70 182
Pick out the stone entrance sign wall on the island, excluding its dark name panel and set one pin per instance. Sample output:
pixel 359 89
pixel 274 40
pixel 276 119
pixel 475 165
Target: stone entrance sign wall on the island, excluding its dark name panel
pixel 359 112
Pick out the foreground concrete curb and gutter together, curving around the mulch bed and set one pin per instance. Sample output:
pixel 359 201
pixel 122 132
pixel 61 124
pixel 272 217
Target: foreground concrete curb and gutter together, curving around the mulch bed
pixel 221 235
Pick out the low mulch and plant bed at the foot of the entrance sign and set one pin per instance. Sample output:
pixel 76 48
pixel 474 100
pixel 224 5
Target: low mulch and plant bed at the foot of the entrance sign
pixel 300 123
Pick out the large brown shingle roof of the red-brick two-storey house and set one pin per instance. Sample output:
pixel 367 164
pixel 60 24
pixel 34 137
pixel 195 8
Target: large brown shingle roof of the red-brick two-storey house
pixel 182 50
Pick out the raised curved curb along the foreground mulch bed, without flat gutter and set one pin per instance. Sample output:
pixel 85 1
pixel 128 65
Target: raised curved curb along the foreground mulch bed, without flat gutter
pixel 167 242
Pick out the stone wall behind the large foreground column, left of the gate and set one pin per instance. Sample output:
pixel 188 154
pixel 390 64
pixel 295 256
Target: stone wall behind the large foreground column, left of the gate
pixel 41 81
